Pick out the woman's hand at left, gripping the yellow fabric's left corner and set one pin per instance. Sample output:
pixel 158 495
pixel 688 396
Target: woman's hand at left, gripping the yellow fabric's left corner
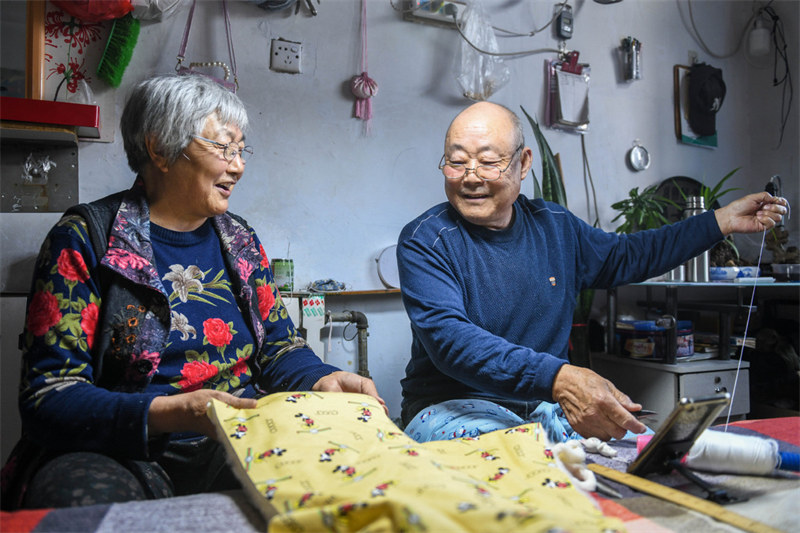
pixel 187 411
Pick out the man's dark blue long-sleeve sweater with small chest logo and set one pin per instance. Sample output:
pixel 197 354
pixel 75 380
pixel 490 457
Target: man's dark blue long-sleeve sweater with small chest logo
pixel 491 311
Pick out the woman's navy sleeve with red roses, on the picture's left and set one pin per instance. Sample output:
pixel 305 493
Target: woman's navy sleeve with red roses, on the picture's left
pixel 59 403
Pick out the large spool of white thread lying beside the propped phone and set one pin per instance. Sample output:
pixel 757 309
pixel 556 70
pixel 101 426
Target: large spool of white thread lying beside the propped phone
pixel 715 451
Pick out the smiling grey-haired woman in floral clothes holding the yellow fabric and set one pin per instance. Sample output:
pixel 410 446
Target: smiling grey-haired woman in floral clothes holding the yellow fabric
pixel 145 305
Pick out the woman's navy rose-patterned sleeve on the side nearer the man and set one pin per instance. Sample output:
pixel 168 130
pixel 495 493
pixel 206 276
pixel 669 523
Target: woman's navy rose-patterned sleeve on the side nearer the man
pixel 288 363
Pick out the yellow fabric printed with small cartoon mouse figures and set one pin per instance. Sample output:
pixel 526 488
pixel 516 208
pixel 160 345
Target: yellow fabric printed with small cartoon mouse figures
pixel 315 462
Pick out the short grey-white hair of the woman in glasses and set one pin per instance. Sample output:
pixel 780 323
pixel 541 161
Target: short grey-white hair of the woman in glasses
pixel 170 109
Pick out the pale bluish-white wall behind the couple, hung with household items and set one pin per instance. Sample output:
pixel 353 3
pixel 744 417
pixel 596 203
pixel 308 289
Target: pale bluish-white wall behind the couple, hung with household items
pixel 335 198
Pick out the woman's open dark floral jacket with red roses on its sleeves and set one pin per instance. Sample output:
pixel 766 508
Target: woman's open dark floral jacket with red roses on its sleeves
pixel 96 326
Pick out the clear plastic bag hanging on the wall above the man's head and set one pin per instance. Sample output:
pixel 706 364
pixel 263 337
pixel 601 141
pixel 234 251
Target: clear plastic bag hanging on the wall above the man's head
pixel 480 75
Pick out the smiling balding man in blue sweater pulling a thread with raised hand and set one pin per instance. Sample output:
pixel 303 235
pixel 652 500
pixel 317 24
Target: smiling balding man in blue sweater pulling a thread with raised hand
pixel 490 278
